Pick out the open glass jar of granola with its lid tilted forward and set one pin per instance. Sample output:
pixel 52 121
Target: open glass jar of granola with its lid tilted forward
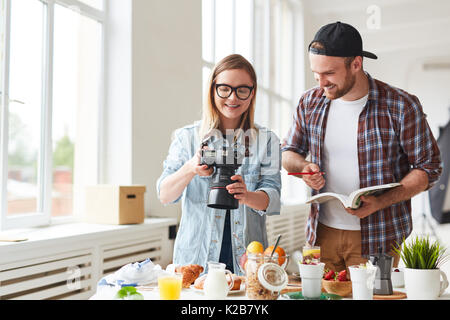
pixel 264 278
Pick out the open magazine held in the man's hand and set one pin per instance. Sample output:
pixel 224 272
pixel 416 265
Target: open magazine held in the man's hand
pixel 353 199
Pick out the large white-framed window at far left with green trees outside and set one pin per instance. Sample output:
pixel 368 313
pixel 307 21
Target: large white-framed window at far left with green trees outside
pixel 51 80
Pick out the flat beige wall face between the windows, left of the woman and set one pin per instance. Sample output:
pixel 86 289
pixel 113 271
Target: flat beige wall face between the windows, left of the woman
pixel 167 85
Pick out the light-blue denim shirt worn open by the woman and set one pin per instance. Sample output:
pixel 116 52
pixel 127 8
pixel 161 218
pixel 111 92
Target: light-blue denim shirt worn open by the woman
pixel 199 236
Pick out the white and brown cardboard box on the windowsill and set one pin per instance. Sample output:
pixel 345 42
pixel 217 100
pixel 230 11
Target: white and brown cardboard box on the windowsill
pixel 112 204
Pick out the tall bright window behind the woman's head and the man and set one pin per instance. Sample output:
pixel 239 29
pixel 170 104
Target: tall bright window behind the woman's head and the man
pixel 269 33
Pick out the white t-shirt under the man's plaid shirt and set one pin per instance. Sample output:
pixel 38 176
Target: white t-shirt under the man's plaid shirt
pixel 340 161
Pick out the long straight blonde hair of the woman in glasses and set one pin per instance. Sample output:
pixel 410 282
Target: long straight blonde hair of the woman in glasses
pixel 210 116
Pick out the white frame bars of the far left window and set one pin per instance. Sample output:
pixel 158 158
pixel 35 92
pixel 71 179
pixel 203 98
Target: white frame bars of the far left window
pixel 42 216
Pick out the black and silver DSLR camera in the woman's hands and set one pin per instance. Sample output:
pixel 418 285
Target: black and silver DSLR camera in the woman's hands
pixel 226 162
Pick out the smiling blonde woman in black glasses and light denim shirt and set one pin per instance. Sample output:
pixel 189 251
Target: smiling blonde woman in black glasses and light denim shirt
pixel 208 234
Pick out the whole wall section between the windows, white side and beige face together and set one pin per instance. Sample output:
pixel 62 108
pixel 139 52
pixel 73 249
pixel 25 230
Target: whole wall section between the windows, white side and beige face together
pixel 152 89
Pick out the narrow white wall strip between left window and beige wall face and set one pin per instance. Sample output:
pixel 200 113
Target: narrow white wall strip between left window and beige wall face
pixel 116 114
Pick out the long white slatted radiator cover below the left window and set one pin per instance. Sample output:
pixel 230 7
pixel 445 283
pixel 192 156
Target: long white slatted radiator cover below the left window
pixel 69 267
